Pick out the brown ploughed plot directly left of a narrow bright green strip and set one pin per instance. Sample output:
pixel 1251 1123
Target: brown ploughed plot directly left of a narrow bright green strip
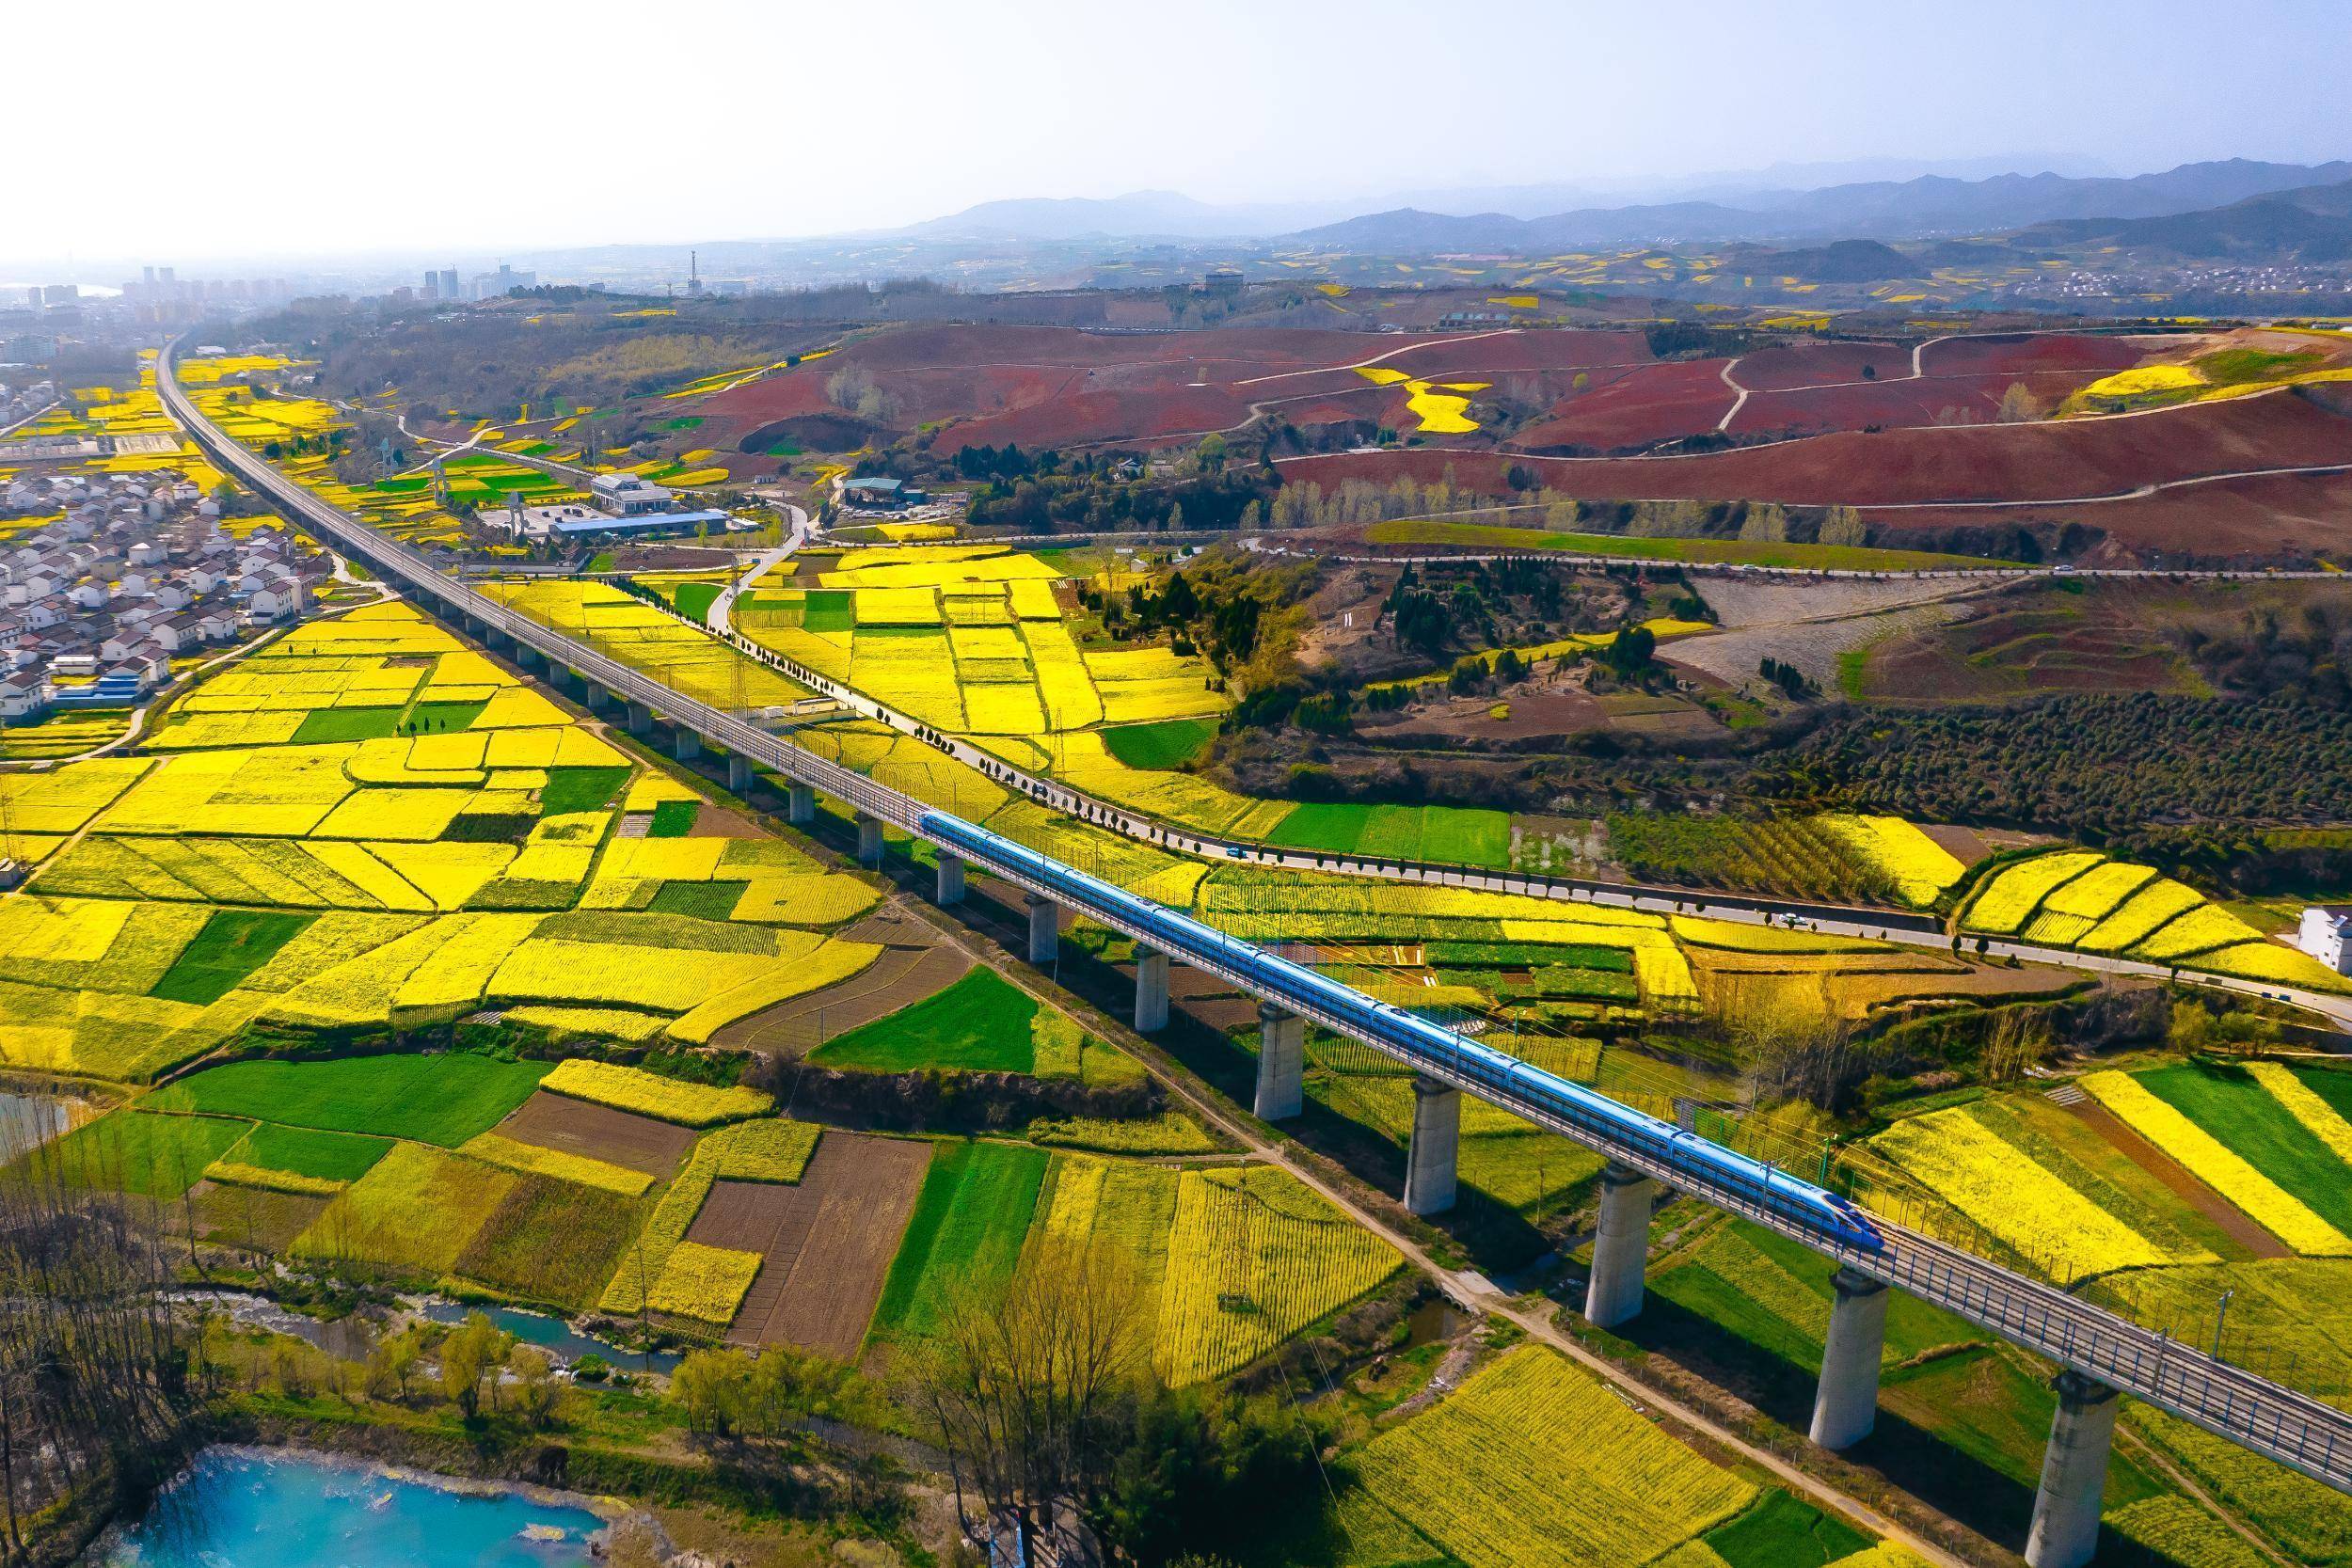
pixel 827 1240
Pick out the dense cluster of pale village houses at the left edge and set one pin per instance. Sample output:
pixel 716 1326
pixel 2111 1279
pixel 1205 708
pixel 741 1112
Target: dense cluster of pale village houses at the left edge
pixel 133 575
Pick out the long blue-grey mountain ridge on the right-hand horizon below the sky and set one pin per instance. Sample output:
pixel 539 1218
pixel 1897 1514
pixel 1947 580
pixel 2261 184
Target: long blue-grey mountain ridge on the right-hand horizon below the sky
pixel 1871 210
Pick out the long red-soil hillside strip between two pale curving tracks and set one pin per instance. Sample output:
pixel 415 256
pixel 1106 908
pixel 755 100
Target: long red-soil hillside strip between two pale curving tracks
pixel 2038 462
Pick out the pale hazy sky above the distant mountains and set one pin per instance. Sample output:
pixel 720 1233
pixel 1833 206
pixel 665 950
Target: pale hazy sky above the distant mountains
pixel 173 133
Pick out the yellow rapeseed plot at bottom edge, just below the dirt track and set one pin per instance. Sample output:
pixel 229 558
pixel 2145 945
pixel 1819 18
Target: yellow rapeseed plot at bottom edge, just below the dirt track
pixel 1537 1466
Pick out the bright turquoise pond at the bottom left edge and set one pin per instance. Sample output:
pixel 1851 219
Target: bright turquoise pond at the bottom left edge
pixel 243 1508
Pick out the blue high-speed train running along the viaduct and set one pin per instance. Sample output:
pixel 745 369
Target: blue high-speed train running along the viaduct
pixel 1459 1059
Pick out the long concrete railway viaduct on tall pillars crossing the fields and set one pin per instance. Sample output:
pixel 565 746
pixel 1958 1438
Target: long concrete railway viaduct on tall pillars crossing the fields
pixel 2099 1353
